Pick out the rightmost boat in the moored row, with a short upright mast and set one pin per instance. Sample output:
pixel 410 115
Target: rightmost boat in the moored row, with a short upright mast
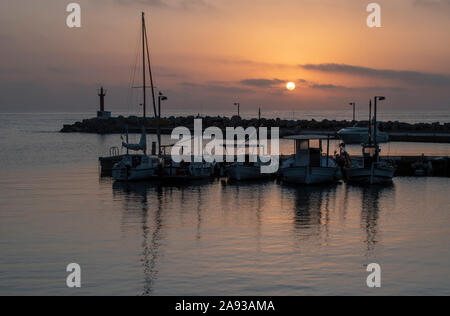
pixel 370 169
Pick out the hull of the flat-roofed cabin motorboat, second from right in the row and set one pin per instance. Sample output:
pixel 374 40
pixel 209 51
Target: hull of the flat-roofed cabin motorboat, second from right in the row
pixel 307 175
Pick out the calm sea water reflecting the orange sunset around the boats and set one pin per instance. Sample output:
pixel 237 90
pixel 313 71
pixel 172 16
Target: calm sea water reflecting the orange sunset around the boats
pixel 208 238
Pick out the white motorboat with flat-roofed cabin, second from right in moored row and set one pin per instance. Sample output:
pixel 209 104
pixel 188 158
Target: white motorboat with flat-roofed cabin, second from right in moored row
pixel 309 165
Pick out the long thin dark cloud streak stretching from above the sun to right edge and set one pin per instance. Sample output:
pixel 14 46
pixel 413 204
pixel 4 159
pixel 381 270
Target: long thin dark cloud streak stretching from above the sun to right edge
pixel 412 77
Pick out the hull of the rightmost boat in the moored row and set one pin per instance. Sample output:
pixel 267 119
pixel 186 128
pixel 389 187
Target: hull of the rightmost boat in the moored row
pixel 369 176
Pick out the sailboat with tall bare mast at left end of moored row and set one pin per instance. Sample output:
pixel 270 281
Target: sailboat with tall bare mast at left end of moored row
pixel 140 166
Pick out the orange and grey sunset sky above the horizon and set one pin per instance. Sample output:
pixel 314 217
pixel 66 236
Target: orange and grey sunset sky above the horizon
pixel 212 53
